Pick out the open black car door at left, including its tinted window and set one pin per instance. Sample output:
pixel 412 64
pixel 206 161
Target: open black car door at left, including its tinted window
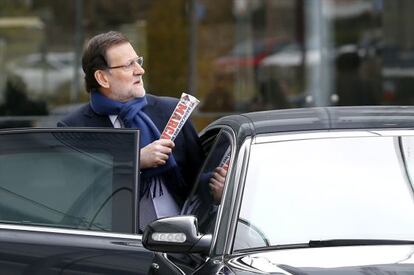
pixel 68 202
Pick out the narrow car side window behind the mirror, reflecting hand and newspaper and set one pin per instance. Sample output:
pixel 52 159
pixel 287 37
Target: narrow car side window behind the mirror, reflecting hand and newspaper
pixel 204 203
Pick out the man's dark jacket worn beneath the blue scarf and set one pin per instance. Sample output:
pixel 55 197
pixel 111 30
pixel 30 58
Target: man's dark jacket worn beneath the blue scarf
pixel 187 151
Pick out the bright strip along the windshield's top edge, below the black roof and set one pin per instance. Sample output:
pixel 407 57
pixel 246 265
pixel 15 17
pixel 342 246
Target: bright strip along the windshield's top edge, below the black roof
pixel 276 137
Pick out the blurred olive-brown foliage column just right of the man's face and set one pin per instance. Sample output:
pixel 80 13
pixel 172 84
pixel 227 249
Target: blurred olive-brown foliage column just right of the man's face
pixel 168 47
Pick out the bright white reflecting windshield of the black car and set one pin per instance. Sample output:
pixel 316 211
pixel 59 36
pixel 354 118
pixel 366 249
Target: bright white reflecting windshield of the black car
pixel 328 188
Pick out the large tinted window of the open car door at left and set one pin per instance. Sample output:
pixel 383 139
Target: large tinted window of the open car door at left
pixel 77 180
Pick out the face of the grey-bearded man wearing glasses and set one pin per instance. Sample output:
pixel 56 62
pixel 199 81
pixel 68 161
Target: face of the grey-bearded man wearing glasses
pixel 124 83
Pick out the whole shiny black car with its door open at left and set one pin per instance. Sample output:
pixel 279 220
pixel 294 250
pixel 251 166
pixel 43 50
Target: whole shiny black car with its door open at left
pixel 307 191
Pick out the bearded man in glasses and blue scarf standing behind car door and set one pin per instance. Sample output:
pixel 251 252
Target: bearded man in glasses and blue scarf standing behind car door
pixel 113 77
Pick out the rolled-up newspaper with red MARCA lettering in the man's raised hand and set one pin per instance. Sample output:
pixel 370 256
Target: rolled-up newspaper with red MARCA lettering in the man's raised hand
pixel 180 115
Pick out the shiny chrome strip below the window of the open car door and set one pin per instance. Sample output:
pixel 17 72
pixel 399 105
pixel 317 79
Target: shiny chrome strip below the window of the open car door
pixel 31 228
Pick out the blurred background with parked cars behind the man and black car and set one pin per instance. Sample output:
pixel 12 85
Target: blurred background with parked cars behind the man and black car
pixel 234 55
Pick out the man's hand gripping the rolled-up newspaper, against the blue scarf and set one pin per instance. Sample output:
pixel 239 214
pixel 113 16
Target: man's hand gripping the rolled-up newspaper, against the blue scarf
pixel 156 153
